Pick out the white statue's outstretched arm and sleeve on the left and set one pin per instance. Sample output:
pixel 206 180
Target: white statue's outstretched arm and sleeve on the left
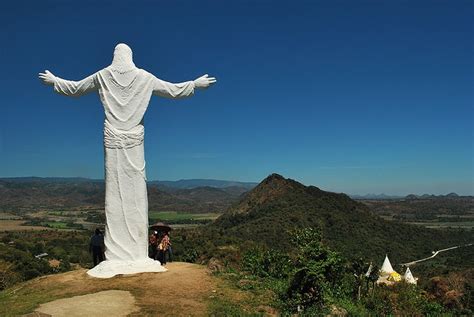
pixel 69 87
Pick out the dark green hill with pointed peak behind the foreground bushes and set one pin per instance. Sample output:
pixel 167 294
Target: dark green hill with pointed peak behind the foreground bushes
pixel 267 214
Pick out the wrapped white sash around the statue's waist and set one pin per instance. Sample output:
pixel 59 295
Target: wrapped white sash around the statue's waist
pixel 121 139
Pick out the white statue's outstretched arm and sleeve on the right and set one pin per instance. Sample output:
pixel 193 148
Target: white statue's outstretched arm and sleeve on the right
pixel 165 89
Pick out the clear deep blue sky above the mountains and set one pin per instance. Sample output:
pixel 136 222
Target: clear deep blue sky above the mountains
pixel 350 96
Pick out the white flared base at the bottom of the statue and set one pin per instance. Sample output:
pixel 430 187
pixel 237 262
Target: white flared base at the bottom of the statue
pixel 110 268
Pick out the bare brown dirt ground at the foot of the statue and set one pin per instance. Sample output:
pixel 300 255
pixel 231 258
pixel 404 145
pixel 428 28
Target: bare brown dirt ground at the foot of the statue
pixel 182 291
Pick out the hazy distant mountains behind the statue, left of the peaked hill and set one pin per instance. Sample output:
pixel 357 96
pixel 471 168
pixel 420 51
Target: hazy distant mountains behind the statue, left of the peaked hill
pixel 25 194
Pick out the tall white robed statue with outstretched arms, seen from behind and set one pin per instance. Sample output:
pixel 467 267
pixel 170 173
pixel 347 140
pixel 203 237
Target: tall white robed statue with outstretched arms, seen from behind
pixel 125 92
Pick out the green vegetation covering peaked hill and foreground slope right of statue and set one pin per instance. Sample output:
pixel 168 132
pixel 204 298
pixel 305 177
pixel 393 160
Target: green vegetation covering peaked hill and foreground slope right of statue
pixel 312 249
